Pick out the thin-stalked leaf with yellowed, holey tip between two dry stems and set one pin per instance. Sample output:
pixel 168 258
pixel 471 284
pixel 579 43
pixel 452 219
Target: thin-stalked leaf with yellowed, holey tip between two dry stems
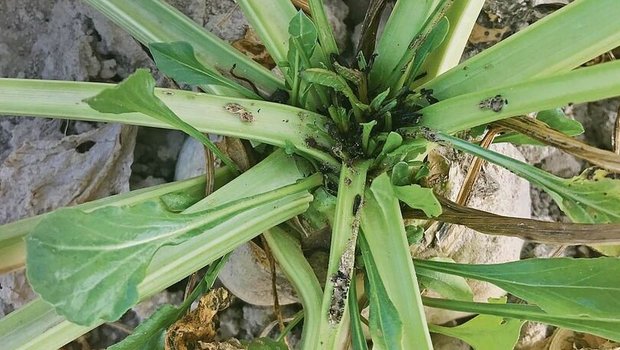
pixel 592 197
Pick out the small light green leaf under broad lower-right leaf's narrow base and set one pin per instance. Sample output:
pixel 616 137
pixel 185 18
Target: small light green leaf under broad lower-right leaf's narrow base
pixel 447 285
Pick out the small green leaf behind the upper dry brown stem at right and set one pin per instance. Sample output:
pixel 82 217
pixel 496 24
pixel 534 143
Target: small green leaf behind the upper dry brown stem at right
pixel 555 119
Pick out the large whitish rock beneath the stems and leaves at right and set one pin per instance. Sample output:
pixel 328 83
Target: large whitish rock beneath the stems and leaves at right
pixel 497 191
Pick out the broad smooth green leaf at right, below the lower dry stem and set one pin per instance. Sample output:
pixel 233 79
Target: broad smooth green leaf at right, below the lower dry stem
pixel 575 287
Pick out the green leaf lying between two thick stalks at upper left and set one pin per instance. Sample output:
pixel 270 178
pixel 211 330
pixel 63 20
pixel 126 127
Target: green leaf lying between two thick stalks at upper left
pixel 178 61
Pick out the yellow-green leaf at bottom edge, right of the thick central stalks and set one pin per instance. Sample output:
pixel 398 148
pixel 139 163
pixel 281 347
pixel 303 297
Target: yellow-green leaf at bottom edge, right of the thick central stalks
pixel 485 332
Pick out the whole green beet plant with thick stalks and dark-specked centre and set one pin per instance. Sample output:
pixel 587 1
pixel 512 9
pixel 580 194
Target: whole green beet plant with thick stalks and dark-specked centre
pixel 345 142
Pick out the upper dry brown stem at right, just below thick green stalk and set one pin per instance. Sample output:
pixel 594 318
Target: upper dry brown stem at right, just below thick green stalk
pixel 541 132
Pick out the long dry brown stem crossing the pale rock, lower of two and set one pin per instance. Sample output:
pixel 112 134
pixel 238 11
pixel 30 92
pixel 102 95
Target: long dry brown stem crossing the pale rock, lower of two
pixel 534 230
